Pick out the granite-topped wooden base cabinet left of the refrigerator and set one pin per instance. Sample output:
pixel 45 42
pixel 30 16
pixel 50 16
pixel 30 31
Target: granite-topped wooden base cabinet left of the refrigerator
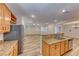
pixel 9 48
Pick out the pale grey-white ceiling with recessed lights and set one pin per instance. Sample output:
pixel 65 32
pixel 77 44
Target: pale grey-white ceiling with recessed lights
pixel 46 12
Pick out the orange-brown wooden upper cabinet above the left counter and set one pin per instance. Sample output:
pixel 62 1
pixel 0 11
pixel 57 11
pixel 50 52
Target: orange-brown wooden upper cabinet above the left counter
pixel 5 18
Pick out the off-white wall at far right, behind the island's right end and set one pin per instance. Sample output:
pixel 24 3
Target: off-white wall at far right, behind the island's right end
pixel 70 31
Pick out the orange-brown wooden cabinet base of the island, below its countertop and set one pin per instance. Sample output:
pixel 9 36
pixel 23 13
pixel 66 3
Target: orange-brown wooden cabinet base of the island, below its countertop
pixel 55 49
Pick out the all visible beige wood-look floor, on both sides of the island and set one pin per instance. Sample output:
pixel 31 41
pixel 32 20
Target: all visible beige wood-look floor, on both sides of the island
pixel 32 46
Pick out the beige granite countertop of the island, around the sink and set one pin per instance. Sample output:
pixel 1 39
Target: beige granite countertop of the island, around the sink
pixel 54 40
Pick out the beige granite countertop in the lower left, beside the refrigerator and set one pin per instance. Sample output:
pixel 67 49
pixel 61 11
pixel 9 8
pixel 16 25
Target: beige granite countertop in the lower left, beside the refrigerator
pixel 6 46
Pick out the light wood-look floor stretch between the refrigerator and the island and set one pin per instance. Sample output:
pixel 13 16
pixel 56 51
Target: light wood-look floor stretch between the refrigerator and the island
pixel 31 45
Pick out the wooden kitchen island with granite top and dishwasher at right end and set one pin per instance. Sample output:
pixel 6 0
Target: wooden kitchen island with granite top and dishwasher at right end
pixel 56 47
